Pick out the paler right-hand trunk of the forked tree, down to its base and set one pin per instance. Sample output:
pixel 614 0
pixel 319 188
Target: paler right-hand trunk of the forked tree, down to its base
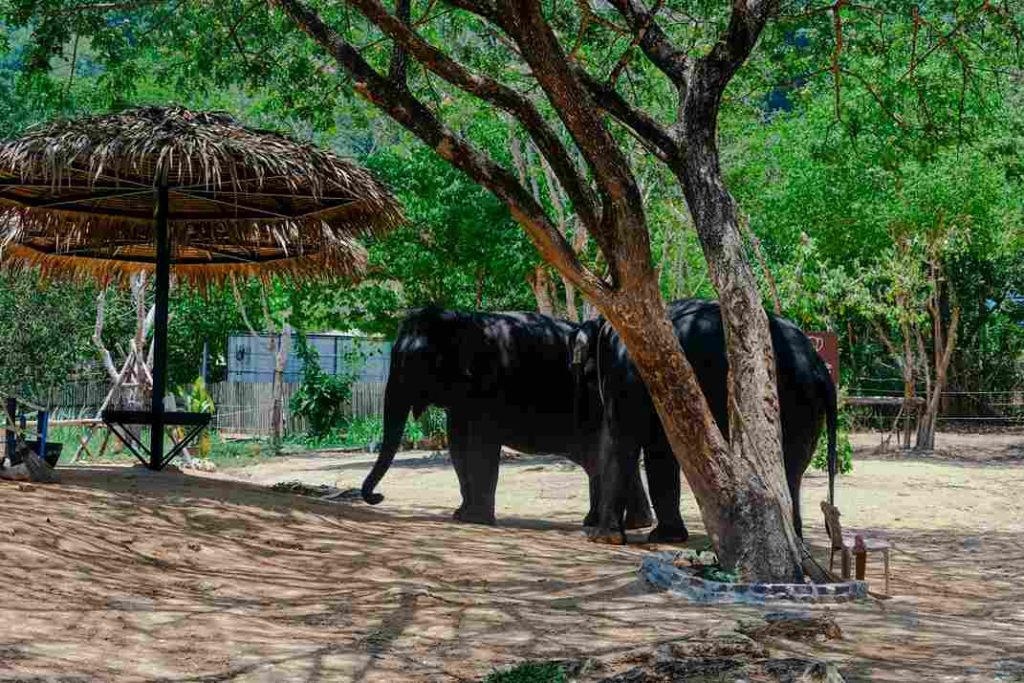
pixel 743 492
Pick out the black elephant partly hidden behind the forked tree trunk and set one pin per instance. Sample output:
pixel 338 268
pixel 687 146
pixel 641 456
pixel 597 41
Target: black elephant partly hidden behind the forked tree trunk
pixel 629 422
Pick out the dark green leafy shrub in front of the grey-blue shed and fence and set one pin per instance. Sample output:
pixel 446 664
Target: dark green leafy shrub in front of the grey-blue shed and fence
pixel 321 398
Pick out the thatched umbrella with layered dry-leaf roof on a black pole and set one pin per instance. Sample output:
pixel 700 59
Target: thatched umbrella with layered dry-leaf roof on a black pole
pixel 197 194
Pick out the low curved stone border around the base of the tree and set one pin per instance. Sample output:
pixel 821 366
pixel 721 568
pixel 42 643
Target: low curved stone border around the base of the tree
pixel 660 570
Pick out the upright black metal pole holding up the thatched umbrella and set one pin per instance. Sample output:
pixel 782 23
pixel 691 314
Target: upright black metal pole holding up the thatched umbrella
pixel 160 329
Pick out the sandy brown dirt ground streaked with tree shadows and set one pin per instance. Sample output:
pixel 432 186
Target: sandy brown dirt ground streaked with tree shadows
pixel 119 574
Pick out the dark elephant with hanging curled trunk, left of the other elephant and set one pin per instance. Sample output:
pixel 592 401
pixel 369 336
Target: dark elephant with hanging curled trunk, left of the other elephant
pixel 505 379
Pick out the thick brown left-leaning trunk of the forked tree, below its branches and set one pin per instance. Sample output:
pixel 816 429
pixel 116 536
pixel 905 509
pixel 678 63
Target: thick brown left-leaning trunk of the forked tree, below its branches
pixel 740 486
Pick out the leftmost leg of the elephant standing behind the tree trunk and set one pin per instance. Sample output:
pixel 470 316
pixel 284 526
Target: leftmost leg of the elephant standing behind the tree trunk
pixel 620 459
